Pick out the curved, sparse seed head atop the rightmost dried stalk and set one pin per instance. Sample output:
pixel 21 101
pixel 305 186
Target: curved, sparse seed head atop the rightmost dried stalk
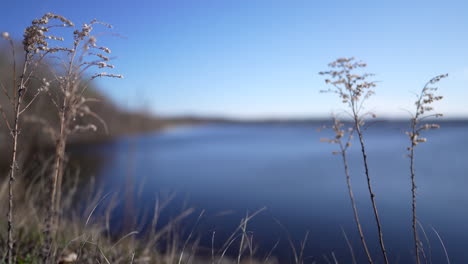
pixel 423 106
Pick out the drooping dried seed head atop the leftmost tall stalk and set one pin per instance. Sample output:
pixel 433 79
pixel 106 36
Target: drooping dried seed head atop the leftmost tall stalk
pixel 35 38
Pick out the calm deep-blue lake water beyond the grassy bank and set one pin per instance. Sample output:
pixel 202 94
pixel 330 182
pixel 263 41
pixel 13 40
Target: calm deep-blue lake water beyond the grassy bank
pixel 231 169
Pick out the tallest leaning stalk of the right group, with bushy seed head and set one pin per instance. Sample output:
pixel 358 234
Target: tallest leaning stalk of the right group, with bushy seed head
pixel 354 89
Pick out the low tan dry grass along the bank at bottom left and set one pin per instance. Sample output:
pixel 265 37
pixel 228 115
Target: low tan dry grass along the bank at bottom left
pixel 84 235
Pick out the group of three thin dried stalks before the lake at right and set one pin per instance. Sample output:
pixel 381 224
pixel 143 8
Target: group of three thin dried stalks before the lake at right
pixel 353 89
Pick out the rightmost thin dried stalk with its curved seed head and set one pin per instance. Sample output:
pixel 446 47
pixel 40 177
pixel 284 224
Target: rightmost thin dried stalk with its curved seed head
pixel 425 98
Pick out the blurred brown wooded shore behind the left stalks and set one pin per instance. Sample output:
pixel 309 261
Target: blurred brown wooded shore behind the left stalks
pixel 35 142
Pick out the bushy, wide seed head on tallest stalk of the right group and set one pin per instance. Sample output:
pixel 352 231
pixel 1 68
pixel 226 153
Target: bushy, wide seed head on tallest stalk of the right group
pixel 351 86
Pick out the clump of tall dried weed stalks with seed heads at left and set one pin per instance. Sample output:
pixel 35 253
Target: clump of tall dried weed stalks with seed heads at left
pixel 70 84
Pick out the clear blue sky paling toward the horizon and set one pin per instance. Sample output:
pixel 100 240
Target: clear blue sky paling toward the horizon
pixel 260 58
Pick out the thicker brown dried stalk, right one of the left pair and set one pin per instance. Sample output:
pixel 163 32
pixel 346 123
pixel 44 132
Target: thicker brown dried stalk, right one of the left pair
pixel 72 106
